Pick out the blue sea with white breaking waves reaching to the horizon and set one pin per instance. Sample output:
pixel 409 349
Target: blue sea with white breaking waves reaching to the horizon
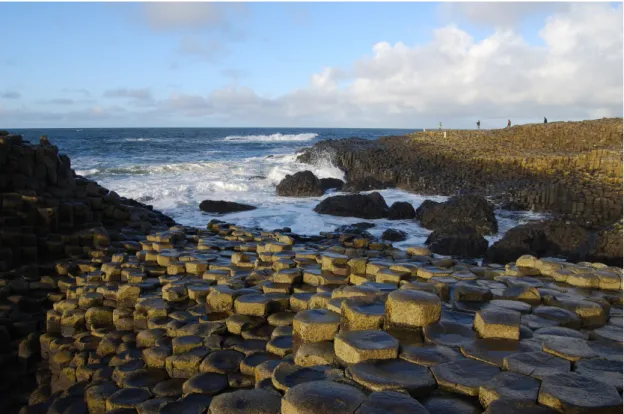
pixel 174 169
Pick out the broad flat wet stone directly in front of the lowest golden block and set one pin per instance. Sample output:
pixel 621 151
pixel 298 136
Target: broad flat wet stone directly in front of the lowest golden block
pixel 393 374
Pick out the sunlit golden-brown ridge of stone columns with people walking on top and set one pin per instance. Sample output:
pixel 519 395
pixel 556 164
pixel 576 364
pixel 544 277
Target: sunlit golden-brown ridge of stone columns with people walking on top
pixel 572 169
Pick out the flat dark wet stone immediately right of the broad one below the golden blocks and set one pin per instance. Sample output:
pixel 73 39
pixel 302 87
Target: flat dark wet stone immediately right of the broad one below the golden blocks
pixel 463 376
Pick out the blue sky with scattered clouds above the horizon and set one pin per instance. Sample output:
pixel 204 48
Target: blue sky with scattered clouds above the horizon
pixel 378 65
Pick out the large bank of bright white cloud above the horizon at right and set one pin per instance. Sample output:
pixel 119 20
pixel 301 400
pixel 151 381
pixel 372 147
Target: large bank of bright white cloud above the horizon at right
pixel 576 73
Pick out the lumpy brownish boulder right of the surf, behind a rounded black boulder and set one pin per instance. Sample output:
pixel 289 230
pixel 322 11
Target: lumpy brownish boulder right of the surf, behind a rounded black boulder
pixel 472 210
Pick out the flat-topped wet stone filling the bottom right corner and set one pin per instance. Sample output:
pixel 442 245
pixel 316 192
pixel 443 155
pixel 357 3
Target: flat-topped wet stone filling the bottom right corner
pixel 576 393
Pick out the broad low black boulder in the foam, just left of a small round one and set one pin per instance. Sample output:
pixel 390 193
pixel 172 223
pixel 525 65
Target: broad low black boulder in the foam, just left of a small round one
pixel 369 206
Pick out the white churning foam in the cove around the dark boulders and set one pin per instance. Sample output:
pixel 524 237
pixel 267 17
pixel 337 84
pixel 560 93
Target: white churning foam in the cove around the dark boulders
pixel 177 190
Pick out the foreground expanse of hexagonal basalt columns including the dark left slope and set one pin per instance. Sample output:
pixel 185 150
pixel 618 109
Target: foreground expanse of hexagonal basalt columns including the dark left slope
pixel 109 306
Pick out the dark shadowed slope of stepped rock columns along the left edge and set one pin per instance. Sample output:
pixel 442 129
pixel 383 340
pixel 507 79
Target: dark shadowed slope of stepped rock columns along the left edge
pixel 48 215
